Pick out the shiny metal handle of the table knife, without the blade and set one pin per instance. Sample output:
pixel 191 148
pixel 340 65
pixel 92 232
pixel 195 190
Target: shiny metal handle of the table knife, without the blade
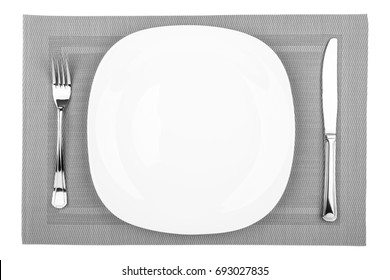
pixel 329 208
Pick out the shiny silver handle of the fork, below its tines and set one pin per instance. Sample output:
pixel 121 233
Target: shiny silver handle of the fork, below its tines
pixel 59 198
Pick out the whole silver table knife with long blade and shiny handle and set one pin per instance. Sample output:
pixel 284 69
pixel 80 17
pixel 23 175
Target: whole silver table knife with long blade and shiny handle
pixel 329 107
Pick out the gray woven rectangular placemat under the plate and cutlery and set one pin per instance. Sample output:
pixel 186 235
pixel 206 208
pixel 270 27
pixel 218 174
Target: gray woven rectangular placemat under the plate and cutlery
pixel 299 41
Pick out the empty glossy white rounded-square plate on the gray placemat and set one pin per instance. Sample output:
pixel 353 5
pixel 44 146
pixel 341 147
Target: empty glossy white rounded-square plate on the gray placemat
pixel 190 129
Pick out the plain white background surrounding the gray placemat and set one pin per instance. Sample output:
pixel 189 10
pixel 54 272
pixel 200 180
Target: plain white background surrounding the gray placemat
pixel 105 262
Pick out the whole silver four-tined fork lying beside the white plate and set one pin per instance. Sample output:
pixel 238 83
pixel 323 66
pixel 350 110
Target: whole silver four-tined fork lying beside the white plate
pixel 61 81
